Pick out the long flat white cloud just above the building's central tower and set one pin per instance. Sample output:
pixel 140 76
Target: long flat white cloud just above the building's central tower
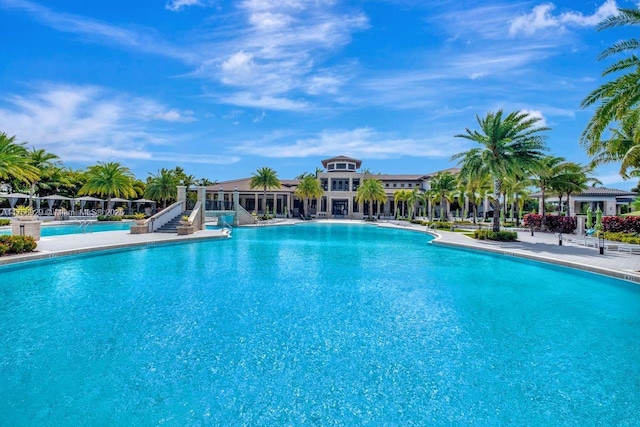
pixel 360 142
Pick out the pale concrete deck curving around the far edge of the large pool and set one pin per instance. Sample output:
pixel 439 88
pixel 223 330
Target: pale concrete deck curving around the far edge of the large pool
pixel 539 247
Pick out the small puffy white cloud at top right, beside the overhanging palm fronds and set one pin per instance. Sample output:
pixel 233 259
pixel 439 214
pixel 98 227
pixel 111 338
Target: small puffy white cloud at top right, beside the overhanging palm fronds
pixel 541 17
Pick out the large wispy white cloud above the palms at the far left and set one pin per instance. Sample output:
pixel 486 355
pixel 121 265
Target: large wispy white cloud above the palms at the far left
pixel 84 123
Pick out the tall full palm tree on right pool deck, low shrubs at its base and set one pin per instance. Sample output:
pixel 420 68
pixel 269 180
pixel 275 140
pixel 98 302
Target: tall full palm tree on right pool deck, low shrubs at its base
pixel 509 146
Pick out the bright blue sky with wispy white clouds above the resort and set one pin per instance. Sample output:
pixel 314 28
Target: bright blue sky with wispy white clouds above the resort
pixel 221 88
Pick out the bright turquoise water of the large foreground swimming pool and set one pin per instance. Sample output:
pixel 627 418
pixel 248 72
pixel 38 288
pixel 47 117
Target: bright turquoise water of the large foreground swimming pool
pixel 315 324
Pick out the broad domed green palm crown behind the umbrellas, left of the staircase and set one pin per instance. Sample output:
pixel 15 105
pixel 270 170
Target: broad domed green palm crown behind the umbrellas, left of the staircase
pixel 109 180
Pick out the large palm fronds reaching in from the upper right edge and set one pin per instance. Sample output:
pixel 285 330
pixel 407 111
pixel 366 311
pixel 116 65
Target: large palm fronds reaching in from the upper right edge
pixel 619 97
